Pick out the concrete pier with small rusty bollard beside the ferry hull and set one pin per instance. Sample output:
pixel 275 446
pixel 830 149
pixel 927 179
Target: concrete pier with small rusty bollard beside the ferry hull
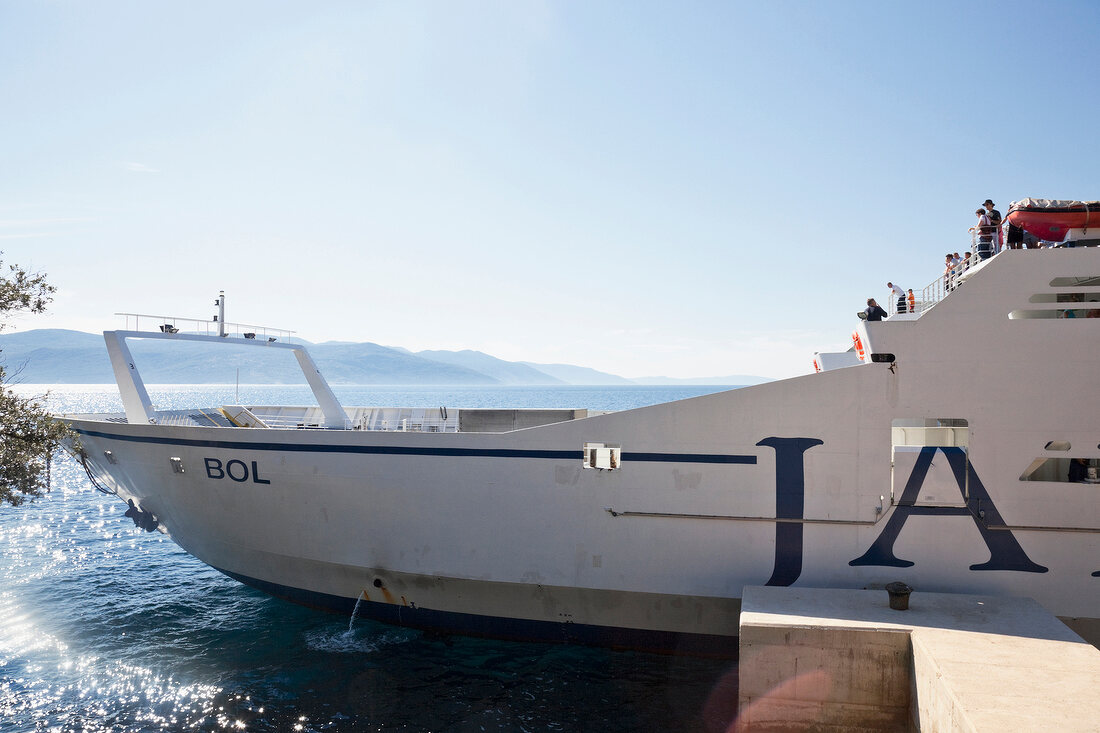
pixel 829 660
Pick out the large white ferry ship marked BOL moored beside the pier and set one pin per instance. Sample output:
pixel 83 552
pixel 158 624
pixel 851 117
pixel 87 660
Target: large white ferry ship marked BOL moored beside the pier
pixel 955 451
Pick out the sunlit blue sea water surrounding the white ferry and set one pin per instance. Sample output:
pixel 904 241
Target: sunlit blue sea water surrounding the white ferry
pixel 107 628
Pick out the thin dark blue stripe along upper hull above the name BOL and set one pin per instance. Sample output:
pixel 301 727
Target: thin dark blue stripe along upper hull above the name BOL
pixel 421 451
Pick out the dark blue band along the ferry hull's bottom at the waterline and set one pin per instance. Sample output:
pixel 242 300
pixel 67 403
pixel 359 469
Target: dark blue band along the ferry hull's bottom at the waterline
pixel 516 630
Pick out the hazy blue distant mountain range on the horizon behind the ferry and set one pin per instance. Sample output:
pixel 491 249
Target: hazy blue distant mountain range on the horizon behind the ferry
pixel 65 357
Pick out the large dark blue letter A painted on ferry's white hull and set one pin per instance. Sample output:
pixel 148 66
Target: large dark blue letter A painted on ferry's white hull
pixel 1005 552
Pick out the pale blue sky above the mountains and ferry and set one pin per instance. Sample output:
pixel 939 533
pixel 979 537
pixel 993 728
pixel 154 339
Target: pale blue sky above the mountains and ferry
pixel 688 190
